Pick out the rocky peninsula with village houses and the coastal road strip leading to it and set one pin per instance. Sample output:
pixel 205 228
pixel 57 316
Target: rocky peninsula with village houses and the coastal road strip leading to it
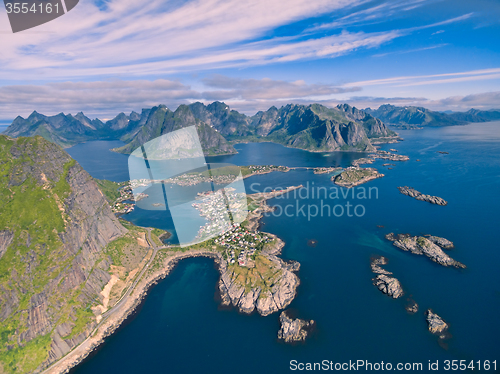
pixel 258 281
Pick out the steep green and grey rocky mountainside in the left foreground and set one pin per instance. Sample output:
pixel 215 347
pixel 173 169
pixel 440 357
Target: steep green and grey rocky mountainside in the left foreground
pixel 54 226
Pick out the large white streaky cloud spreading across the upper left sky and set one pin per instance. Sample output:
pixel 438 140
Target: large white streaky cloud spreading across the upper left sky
pixel 139 38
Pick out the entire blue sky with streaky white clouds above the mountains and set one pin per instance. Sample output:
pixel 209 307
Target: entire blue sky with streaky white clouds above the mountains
pixel 105 57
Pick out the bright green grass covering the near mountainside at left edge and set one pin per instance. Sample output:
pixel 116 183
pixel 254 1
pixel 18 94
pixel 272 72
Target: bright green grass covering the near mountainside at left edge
pixel 27 210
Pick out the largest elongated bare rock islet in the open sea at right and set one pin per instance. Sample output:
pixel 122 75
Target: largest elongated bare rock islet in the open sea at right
pixel 423 246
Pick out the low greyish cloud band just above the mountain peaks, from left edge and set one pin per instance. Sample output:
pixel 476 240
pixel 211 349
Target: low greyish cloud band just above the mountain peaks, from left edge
pixel 106 98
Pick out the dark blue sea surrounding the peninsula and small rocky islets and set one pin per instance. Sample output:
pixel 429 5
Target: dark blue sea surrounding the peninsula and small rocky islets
pixel 180 329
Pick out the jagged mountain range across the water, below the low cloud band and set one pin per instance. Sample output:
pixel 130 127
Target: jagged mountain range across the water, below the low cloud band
pixel 313 127
